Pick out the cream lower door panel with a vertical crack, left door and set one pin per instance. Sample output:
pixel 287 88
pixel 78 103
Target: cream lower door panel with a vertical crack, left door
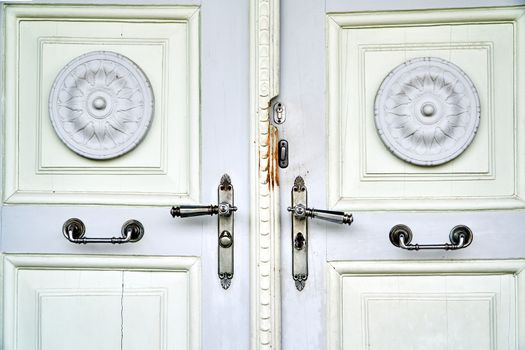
pixel 108 303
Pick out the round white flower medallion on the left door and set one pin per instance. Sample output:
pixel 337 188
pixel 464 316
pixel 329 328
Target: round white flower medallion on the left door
pixel 101 105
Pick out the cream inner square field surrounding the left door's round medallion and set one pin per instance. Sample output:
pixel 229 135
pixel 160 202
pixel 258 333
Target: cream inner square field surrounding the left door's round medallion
pixel 53 156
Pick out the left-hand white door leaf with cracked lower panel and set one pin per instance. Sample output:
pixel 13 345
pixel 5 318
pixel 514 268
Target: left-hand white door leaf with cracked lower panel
pixel 162 292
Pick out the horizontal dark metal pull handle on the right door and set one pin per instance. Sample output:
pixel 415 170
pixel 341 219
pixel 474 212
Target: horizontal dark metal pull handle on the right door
pixel 460 237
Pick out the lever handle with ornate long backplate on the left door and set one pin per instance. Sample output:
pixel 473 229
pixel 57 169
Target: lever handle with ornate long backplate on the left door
pixel 224 210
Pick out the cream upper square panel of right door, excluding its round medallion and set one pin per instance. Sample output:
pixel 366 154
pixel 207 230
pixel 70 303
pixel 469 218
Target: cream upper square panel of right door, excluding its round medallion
pixel 364 173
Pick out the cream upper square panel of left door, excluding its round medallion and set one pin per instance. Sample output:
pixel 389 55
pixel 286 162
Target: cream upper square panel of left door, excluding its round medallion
pixel 163 42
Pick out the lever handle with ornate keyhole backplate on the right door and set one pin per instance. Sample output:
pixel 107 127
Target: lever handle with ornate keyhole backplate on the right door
pixel 300 213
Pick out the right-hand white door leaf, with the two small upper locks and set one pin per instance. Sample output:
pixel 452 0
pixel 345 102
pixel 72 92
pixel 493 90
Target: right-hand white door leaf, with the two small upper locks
pixel 362 292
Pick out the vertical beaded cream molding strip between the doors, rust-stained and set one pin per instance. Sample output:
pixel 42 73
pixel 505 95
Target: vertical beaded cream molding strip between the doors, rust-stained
pixel 265 247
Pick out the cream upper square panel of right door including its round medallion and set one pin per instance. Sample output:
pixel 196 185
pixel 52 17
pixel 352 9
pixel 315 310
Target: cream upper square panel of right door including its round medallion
pixel 384 152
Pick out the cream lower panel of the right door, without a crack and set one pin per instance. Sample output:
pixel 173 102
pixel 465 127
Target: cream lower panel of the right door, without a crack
pixel 426 305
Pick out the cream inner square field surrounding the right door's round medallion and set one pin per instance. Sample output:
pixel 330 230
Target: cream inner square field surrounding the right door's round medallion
pixel 477 160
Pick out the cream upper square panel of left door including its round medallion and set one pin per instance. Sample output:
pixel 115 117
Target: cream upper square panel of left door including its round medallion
pixel 44 165
